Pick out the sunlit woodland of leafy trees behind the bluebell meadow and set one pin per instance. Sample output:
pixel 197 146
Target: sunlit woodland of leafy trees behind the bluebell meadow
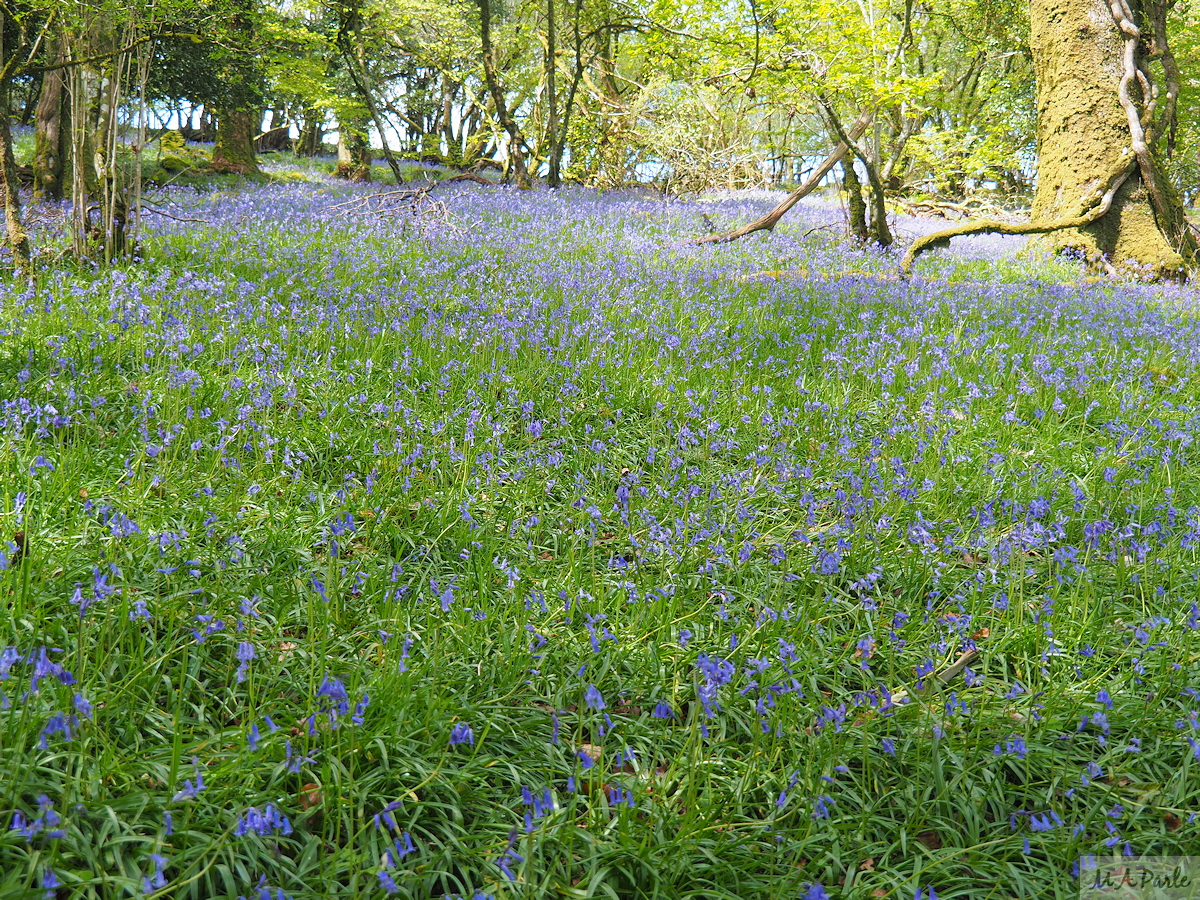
pixel 685 95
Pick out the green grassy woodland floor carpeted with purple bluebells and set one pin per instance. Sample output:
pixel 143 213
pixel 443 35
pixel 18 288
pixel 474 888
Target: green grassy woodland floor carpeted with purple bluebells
pixel 809 464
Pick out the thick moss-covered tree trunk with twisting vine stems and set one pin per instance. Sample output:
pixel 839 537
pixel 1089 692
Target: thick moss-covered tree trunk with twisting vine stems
pixel 1093 123
